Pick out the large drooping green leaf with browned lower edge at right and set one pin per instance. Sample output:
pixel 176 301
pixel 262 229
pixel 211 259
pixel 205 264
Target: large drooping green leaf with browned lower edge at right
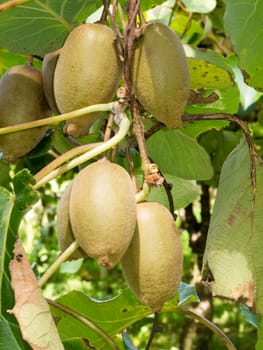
pixel 233 256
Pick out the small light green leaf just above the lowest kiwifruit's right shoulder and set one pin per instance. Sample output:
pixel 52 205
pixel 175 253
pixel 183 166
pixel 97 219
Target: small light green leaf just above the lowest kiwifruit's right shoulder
pixel 183 192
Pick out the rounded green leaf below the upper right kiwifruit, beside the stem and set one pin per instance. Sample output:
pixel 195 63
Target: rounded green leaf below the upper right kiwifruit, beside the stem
pixel 179 155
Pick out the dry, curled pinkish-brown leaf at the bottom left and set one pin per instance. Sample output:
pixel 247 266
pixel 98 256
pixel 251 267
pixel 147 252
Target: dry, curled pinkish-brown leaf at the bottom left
pixel 31 309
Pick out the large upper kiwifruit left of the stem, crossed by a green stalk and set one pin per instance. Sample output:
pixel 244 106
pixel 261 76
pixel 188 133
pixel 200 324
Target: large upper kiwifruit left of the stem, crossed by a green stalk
pixel 87 73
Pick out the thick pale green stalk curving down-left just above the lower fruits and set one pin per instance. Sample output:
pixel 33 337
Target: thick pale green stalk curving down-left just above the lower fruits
pixel 124 125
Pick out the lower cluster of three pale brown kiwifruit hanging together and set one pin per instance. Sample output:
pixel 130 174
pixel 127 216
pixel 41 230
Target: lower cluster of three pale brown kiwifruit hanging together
pixel 99 211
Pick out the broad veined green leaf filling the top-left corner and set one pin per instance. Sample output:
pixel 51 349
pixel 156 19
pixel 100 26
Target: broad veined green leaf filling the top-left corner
pixel 39 27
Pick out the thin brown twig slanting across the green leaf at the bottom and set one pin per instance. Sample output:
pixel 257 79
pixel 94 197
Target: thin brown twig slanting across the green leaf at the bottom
pixel 86 321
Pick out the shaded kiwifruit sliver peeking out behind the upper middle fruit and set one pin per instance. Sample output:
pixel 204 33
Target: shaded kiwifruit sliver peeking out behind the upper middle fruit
pixel 48 70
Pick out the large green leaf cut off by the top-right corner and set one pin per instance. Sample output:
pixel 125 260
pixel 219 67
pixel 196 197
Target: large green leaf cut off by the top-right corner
pixel 243 24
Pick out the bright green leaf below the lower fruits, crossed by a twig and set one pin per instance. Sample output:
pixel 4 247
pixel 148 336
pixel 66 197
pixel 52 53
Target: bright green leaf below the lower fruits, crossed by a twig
pixel 112 316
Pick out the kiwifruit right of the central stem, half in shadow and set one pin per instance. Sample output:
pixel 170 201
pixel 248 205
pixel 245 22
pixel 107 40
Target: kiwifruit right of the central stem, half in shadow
pixel 160 74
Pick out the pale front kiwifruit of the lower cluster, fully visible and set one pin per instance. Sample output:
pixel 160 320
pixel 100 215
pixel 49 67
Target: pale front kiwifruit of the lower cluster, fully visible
pixel 103 211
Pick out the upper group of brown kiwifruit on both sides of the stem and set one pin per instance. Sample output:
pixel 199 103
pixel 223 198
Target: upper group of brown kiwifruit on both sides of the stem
pixel 86 71
